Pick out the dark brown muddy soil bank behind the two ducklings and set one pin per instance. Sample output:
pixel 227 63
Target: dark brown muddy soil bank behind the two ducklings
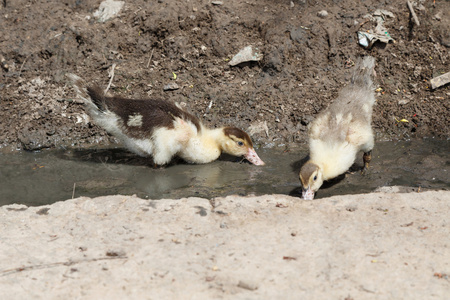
pixel 306 60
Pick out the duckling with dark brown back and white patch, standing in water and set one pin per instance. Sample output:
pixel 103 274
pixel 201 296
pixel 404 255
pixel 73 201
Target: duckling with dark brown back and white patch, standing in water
pixel 162 129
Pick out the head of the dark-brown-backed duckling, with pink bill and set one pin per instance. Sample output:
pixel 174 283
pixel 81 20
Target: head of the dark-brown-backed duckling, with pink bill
pixel 237 142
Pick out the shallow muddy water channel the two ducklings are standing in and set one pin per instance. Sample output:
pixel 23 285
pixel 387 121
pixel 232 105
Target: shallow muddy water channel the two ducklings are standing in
pixel 49 176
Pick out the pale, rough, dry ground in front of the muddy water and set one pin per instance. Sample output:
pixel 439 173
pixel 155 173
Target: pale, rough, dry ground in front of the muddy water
pixel 373 246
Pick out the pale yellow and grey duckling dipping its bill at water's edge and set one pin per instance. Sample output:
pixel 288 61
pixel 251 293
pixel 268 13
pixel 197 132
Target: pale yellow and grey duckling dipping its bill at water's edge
pixel 341 131
